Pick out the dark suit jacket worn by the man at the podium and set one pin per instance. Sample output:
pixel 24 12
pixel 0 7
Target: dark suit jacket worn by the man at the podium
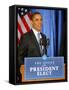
pixel 28 47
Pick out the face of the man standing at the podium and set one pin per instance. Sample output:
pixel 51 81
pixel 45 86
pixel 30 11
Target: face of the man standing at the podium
pixel 37 22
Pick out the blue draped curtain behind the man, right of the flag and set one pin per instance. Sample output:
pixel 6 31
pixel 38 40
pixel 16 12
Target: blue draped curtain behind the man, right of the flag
pixel 52 28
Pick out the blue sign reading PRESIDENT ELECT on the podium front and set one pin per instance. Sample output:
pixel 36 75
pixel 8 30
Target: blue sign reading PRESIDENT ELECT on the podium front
pixel 40 68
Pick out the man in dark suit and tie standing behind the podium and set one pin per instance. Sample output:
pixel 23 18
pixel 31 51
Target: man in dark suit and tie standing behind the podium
pixel 30 42
